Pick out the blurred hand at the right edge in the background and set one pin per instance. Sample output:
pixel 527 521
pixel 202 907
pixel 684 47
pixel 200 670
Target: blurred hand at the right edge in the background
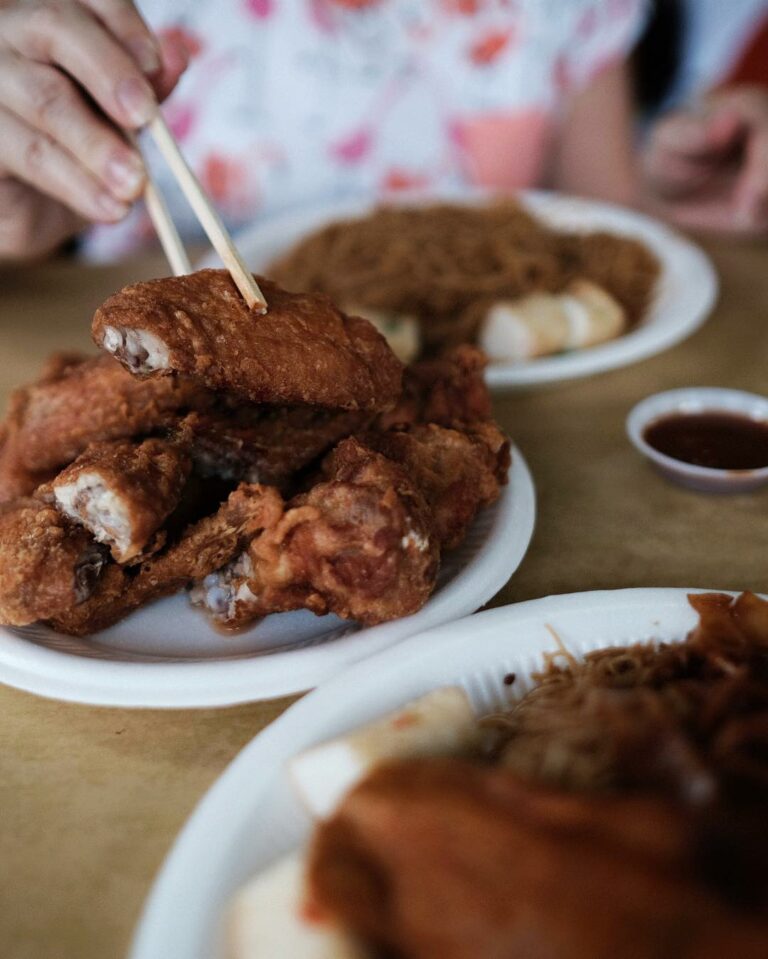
pixel 707 167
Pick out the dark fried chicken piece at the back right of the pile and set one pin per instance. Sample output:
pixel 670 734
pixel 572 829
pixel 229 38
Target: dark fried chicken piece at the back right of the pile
pixel 449 390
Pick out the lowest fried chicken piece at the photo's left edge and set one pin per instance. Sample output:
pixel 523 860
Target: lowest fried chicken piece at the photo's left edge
pixel 47 564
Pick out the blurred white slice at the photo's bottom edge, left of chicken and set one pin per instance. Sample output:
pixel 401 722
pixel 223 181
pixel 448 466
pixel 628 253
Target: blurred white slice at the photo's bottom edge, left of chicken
pixel 269 918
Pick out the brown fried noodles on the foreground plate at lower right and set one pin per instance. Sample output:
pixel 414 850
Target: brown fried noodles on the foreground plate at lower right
pixel 689 719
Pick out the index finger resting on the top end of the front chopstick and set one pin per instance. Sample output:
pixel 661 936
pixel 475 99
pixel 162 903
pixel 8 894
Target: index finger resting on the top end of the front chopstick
pixel 69 36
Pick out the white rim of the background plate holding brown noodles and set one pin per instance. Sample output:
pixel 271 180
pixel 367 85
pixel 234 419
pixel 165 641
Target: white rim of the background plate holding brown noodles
pixel 691 263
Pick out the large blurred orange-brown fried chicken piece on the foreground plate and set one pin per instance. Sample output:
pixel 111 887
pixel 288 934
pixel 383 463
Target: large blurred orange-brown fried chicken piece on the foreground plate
pixel 442 859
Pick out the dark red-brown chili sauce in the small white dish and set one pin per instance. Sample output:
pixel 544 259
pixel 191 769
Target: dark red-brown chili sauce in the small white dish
pixel 724 441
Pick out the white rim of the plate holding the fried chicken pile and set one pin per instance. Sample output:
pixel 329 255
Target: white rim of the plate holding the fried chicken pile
pixel 62 675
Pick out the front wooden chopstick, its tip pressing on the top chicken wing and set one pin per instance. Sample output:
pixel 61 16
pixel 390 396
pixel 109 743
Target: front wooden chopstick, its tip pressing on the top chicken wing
pixel 206 214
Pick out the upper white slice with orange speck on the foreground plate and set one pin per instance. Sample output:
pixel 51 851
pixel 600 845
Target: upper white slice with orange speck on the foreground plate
pixel 441 723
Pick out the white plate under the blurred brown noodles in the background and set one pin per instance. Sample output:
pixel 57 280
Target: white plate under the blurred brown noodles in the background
pixel 685 294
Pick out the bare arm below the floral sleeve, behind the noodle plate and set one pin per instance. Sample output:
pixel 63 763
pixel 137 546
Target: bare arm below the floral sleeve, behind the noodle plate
pixel 594 155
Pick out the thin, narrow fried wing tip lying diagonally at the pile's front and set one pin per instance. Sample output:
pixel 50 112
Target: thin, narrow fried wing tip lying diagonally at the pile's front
pixel 208 545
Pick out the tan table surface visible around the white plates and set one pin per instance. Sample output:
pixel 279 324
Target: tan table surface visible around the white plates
pixel 90 799
